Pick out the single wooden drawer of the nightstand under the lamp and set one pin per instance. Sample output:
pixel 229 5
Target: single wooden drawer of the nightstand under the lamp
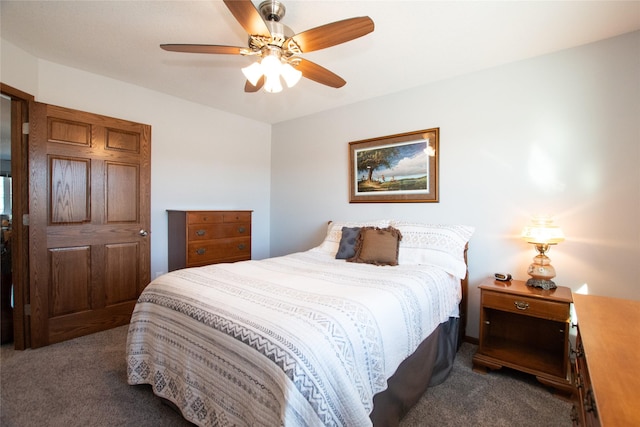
pixel 525 305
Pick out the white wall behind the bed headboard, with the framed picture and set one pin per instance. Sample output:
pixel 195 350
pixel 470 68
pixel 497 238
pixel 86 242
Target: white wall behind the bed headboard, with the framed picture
pixel 558 134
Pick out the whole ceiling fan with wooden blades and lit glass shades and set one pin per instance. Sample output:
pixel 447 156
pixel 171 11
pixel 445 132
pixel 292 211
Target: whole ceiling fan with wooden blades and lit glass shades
pixel 278 46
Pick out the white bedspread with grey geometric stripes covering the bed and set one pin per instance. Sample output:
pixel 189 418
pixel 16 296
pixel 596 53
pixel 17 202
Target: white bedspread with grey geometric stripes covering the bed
pixel 299 340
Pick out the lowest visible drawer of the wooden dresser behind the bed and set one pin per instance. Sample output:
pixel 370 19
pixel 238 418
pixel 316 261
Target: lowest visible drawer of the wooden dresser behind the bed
pixel 220 250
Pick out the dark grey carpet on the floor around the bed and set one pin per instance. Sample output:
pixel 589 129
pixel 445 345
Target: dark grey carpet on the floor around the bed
pixel 82 382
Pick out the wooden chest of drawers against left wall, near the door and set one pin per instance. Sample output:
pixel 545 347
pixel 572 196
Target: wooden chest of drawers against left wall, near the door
pixel 199 238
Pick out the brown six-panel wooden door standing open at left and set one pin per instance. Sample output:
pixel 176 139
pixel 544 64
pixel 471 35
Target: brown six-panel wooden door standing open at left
pixel 89 202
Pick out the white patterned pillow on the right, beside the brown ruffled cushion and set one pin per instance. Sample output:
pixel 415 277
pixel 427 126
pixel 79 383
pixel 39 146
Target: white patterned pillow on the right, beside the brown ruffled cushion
pixel 441 245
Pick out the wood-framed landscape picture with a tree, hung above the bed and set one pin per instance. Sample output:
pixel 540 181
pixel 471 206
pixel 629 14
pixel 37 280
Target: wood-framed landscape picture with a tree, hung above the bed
pixel 395 168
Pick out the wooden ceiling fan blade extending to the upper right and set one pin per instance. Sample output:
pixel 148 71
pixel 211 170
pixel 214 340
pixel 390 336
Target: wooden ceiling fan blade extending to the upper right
pixel 334 33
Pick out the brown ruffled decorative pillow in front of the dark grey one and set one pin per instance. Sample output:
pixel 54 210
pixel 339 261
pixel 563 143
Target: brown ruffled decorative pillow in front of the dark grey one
pixel 377 246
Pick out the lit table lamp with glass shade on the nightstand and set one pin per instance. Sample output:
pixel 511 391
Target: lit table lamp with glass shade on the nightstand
pixel 542 233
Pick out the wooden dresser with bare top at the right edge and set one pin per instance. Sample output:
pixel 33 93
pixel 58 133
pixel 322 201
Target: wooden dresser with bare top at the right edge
pixel 607 363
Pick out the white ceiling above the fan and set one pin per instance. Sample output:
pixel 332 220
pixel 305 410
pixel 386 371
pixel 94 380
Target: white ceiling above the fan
pixel 414 43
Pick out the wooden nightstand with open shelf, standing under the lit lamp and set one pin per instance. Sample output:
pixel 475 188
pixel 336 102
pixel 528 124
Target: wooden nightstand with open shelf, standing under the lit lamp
pixel 527 329
